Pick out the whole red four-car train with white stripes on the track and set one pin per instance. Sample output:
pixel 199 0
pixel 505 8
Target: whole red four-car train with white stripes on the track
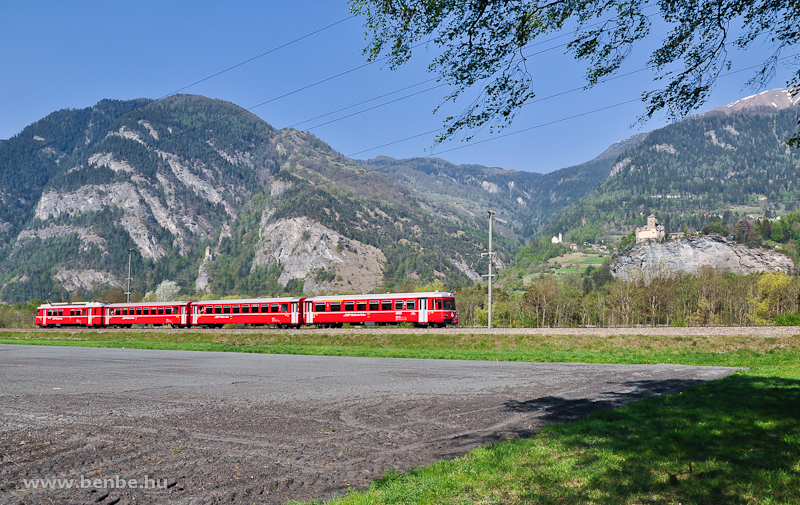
pixel 436 309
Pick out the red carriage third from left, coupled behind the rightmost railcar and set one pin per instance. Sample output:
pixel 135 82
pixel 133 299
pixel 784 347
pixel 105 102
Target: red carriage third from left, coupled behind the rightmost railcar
pixel 284 312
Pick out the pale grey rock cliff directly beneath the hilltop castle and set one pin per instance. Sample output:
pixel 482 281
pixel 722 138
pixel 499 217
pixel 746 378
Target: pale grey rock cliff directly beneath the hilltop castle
pixel 690 254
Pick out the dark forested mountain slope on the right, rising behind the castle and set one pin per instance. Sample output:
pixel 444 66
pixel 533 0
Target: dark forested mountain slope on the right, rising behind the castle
pixel 733 166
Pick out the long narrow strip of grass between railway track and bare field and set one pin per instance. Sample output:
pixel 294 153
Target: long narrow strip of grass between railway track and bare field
pixel 629 349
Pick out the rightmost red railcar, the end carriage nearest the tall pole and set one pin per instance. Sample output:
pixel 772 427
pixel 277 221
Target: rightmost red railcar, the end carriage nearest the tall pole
pixel 421 309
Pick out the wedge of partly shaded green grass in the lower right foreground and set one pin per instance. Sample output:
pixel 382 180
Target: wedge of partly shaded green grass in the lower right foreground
pixel 736 440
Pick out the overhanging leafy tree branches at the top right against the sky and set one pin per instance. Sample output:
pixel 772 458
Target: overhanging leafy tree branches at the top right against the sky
pixel 485 43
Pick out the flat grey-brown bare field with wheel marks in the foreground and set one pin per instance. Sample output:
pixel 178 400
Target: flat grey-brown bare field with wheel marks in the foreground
pixel 209 427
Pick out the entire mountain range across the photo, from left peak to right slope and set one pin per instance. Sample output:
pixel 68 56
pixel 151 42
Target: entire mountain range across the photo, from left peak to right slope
pixel 204 193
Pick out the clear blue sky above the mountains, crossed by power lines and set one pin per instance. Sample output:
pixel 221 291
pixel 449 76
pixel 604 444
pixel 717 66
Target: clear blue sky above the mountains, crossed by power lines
pixel 60 55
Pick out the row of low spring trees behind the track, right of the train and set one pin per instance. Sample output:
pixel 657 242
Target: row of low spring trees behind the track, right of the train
pixel 709 298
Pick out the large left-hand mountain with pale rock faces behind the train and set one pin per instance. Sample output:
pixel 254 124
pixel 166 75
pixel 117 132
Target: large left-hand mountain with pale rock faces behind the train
pixel 279 209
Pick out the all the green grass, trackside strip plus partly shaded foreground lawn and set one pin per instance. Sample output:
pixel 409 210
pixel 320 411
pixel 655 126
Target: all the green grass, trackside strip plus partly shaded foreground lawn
pixel 736 440
